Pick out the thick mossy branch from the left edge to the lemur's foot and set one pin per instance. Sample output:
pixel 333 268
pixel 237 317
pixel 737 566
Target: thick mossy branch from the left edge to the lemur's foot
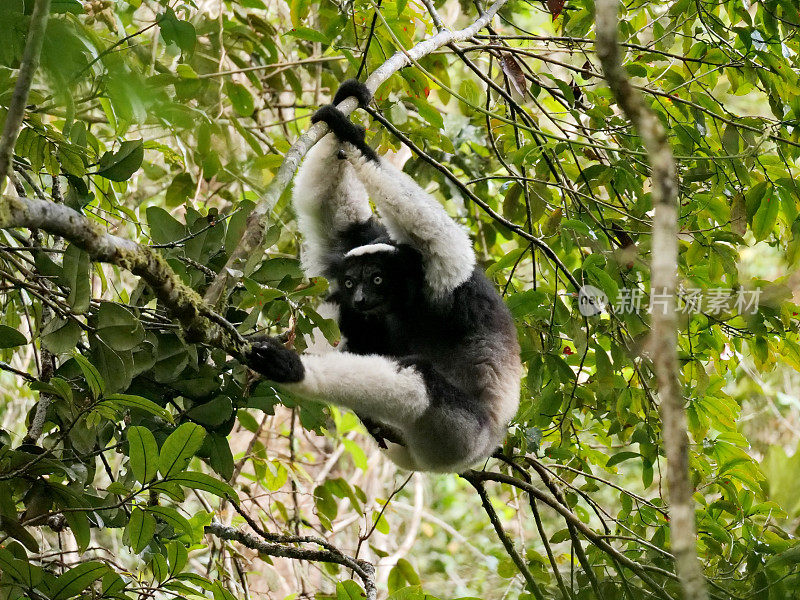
pixel 200 323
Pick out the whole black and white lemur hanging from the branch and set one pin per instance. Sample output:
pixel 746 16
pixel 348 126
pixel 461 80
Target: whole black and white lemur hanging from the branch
pixel 429 354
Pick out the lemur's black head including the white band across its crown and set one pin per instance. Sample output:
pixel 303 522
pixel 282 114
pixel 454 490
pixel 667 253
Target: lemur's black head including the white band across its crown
pixel 374 279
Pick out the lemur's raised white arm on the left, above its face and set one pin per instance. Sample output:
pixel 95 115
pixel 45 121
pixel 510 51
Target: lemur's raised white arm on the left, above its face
pixel 329 199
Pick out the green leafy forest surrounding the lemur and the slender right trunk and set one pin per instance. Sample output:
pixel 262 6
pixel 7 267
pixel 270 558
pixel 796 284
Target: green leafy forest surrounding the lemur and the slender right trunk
pixel 139 458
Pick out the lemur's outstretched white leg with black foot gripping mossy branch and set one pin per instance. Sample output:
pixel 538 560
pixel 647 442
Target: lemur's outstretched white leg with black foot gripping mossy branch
pixel 372 385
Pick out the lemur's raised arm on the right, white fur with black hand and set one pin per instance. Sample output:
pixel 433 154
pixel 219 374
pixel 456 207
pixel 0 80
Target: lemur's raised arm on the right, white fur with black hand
pixel 410 214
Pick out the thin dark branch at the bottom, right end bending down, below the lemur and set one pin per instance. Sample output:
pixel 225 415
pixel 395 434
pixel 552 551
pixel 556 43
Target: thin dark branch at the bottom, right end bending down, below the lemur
pixel 362 568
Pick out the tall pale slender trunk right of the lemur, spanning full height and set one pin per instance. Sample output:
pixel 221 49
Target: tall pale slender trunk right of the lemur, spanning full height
pixel 663 281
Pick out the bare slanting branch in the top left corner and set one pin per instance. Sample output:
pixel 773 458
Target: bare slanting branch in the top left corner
pixel 27 68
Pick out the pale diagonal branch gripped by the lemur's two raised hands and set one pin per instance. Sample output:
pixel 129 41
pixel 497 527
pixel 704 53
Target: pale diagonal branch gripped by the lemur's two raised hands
pixel 250 244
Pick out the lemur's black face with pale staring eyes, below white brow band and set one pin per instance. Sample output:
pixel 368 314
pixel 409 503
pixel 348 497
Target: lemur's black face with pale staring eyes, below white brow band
pixel 365 284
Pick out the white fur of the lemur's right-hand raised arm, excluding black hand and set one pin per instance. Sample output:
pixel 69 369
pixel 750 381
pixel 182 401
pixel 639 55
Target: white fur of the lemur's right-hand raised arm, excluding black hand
pixel 412 216
